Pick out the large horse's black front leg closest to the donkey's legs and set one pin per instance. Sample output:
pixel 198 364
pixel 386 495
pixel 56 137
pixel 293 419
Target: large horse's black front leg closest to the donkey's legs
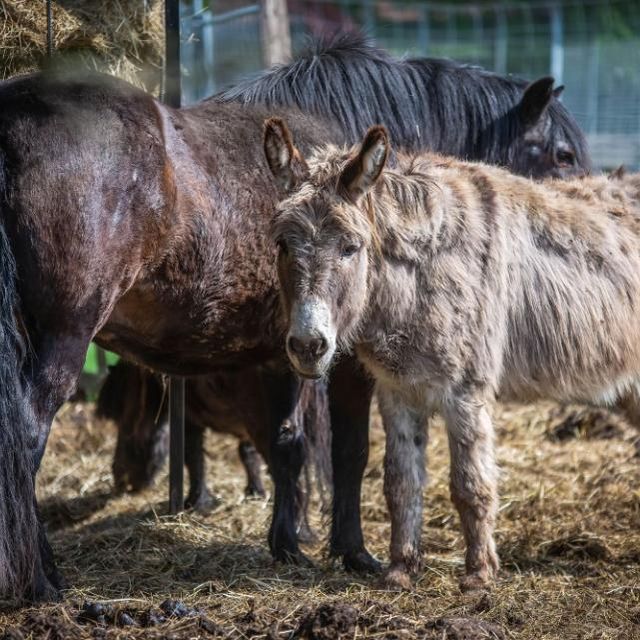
pixel 350 393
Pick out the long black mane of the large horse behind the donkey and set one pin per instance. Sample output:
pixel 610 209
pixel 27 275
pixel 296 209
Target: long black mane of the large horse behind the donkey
pixel 425 103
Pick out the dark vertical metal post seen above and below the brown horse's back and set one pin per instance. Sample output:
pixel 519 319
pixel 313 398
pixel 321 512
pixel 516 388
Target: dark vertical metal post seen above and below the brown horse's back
pixel 173 98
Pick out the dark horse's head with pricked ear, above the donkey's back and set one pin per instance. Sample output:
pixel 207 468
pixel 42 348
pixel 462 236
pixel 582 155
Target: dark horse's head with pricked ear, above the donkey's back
pixel 549 143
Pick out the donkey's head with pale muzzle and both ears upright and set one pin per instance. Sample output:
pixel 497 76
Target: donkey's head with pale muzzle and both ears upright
pixel 324 233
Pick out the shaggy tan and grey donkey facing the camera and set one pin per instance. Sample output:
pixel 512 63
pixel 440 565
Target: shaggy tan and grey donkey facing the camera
pixel 455 282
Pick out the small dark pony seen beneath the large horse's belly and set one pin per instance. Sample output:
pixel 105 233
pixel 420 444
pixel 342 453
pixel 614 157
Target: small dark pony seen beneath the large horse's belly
pixel 233 403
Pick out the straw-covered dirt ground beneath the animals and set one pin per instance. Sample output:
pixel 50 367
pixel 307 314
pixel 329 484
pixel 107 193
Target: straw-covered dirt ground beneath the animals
pixel 568 536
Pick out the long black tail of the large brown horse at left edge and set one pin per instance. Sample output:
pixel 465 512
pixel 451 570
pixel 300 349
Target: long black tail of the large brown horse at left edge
pixel 18 520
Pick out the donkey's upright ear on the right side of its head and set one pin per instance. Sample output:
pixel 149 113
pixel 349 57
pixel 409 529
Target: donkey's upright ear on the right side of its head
pixel 362 171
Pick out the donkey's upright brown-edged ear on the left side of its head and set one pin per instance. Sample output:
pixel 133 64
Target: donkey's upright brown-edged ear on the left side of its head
pixel 284 160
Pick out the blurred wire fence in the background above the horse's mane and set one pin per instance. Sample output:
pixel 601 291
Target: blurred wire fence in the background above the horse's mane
pixel 592 46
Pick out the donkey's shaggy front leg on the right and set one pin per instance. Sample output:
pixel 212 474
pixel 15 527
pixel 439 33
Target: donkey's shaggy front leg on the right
pixel 473 484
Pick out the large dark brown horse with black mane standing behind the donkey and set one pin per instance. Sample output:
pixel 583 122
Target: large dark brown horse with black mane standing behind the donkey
pixel 145 228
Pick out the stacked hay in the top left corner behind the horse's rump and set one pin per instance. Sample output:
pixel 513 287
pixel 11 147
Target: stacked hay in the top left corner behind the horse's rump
pixel 121 37
